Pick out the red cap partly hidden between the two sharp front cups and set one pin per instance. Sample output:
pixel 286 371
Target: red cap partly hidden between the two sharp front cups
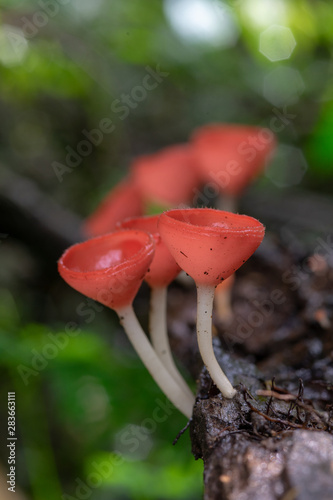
pixel 163 268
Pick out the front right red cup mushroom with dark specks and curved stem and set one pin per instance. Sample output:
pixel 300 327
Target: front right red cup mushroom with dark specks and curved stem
pixel 210 245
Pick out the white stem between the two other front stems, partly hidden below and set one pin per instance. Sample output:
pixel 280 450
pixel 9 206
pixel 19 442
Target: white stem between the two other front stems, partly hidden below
pixel 159 335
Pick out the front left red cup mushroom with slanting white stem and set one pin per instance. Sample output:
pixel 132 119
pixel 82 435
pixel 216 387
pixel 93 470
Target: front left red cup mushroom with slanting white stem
pixel 110 269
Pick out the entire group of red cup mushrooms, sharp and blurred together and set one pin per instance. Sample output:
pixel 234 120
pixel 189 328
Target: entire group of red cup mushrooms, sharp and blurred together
pixel 128 244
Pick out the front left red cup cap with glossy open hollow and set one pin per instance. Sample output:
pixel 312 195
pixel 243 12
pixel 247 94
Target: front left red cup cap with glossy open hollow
pixel 109 268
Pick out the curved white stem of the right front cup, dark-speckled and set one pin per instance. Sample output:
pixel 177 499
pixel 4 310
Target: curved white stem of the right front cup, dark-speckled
pixel 205 294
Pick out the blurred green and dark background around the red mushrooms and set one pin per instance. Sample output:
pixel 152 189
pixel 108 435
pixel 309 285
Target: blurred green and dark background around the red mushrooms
pixel 66 66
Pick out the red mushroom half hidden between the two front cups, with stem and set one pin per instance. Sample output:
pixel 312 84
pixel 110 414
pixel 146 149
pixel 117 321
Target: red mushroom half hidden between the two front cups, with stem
pixel 162 271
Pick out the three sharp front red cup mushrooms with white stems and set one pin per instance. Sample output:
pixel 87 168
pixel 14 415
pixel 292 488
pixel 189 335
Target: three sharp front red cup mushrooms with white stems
pixel 208 244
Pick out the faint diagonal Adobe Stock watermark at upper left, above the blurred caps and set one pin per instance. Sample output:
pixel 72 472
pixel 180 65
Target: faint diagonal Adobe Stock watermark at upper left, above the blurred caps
pixel 121 108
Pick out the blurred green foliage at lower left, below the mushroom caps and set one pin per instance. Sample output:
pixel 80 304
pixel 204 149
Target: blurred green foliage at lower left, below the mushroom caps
pixel 98 394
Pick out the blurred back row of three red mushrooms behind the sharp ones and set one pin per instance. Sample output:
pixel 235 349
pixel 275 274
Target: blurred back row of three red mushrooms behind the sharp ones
pixel 225 158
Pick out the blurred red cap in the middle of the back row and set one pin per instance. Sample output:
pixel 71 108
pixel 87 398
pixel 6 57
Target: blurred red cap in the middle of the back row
pixel 167 177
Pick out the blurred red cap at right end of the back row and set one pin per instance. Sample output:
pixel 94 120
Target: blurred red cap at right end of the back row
pixel 231 156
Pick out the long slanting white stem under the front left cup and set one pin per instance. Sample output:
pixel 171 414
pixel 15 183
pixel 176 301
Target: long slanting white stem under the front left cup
pixel 153 363
